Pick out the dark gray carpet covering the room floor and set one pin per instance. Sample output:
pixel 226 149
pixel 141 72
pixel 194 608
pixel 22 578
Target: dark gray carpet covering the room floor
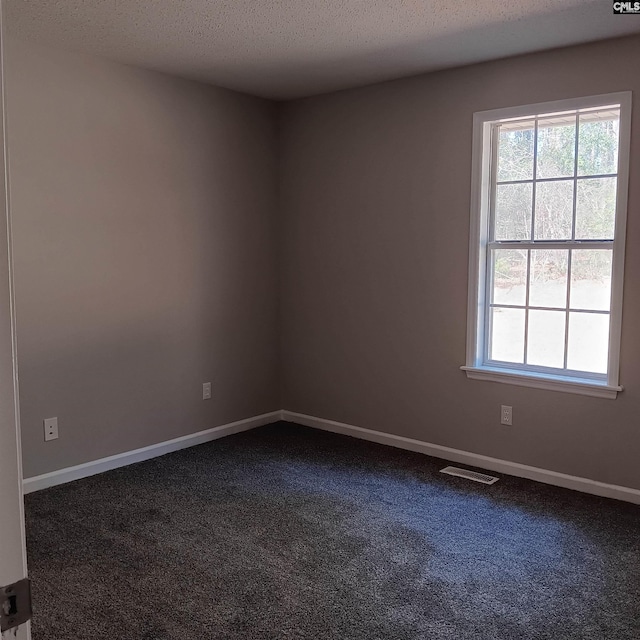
pixel 286 532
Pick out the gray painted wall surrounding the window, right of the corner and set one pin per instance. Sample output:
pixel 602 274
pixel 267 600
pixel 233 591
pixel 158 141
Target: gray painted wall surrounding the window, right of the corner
pixel 375 187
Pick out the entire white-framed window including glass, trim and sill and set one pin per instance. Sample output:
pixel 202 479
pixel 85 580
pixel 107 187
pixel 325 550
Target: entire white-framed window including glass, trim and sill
pixel 547 244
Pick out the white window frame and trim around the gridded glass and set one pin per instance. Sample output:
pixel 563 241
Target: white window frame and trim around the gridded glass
pixel 476 367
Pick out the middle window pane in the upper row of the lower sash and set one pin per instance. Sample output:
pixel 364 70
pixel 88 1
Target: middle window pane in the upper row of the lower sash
pixel 549 271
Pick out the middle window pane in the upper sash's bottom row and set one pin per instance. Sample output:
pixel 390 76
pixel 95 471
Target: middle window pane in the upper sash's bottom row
pixel 554 210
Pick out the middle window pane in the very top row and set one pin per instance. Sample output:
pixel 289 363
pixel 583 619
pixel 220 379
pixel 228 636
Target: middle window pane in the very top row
pixel 556 147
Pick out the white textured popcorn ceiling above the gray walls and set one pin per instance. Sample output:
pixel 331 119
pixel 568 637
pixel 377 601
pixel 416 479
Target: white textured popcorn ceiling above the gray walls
pixel 291 48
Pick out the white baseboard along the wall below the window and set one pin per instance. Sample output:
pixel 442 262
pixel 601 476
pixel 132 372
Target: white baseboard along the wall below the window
pixel 472 459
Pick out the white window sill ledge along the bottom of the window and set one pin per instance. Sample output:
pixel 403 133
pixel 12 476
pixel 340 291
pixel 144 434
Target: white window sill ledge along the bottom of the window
pixel 566 385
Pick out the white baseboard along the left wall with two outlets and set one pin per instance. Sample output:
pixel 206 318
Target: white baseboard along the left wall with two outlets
pixel 145 453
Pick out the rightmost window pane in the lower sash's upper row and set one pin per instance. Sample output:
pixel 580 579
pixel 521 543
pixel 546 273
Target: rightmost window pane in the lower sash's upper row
pixel 591 279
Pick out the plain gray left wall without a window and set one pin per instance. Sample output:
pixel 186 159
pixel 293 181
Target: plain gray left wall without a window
pixel 144 236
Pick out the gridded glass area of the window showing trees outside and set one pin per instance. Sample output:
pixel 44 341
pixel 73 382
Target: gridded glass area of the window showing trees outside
pixel 553 211
